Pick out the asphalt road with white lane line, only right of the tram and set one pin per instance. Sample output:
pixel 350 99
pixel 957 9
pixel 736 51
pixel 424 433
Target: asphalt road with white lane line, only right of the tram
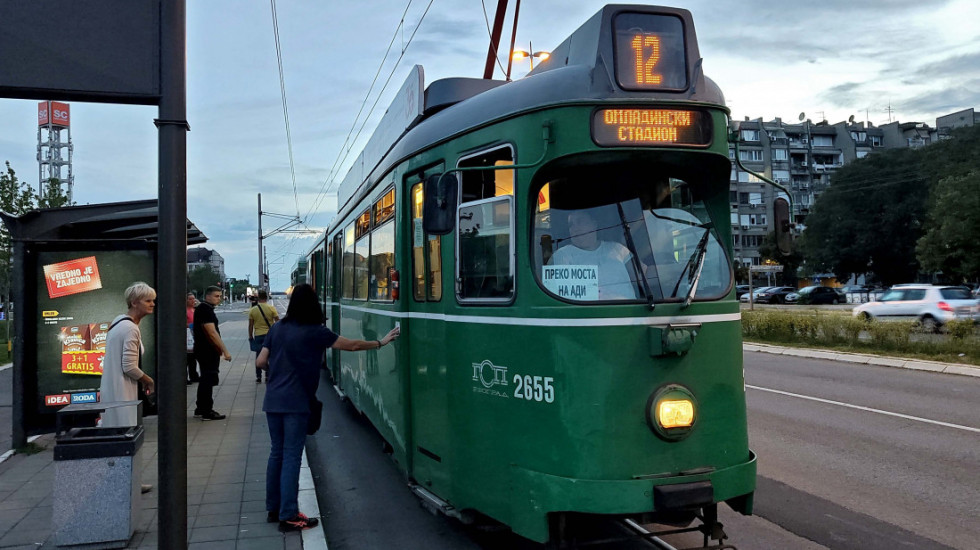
pixel 901 471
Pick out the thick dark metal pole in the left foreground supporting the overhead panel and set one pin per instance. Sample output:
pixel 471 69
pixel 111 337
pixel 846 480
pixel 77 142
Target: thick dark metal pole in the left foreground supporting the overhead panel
pixel 171 278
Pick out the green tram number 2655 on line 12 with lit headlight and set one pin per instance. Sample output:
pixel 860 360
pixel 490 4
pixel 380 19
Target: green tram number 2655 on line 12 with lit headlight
pixel 557 252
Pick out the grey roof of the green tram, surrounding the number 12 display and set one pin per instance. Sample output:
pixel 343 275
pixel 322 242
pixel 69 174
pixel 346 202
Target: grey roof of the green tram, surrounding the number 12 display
pixel 581 68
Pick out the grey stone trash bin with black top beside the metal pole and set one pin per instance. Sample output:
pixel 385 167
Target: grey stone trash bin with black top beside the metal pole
pixel 96 481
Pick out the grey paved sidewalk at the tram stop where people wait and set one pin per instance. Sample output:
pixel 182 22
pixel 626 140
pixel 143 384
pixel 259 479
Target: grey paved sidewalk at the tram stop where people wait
pixel 226 462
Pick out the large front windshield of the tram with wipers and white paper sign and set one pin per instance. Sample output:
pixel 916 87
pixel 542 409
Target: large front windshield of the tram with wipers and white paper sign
pixel 626 239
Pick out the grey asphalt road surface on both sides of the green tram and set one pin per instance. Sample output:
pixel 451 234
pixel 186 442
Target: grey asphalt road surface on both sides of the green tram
pixel 850 457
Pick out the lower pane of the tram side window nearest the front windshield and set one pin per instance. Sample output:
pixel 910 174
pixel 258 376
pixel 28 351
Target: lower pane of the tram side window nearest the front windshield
pixel 485 268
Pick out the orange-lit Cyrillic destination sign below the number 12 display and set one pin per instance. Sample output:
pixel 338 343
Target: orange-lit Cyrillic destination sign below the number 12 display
pixel 651 127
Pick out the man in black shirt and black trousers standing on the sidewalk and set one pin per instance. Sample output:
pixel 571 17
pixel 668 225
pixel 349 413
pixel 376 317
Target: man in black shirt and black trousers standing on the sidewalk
pixel 208 350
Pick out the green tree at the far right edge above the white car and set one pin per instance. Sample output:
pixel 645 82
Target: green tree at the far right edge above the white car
pixel 951 242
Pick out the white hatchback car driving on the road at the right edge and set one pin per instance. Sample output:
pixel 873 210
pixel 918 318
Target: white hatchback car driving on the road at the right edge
pixel 931 305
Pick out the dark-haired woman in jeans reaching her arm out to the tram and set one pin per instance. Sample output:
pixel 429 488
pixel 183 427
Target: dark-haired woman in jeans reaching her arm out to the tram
pixel 292 351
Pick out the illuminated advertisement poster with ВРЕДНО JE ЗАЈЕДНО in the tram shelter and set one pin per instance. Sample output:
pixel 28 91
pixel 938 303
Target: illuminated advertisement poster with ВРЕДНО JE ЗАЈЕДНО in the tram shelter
pixel 79 295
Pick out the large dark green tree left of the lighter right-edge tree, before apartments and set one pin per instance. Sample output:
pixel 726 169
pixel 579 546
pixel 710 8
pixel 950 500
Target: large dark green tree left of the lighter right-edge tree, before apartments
pixel 870 218
